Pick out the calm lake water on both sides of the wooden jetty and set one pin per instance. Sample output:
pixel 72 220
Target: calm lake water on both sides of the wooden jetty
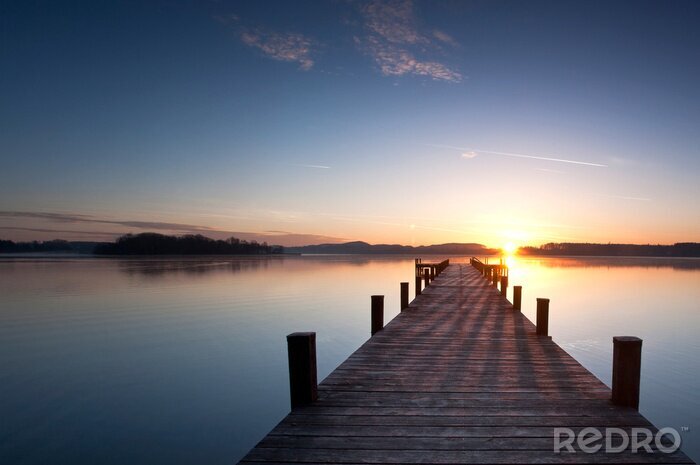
pixel 147 361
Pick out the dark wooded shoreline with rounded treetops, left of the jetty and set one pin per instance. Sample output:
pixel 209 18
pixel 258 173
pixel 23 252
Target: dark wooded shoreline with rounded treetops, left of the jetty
pixel 160 244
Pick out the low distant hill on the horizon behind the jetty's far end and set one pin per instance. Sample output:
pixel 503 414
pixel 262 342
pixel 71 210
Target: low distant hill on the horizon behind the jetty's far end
pixel 359 247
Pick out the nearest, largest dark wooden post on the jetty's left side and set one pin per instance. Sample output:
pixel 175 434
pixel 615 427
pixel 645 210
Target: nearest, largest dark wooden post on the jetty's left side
pixel 303 385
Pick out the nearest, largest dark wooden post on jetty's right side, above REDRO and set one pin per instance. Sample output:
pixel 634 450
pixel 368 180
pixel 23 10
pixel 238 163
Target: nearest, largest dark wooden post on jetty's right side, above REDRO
pixel 627 363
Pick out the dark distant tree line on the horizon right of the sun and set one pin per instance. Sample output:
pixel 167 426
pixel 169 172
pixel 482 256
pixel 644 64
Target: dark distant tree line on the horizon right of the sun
pixel 680 249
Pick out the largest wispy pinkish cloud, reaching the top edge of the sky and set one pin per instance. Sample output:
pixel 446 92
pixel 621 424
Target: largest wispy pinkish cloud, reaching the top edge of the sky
pixel 393 40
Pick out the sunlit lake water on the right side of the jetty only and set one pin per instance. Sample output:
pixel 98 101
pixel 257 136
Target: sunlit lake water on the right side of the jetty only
pixel 594 299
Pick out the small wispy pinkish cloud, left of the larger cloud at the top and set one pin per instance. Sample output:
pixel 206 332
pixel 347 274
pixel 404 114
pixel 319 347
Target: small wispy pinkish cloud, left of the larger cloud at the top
pixel 291 47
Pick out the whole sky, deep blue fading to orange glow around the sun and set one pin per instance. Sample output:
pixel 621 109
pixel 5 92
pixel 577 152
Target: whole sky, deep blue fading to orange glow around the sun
pixel 302 122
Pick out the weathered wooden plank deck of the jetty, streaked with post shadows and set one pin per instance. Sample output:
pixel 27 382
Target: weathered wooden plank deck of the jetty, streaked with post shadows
pixel 457 377
